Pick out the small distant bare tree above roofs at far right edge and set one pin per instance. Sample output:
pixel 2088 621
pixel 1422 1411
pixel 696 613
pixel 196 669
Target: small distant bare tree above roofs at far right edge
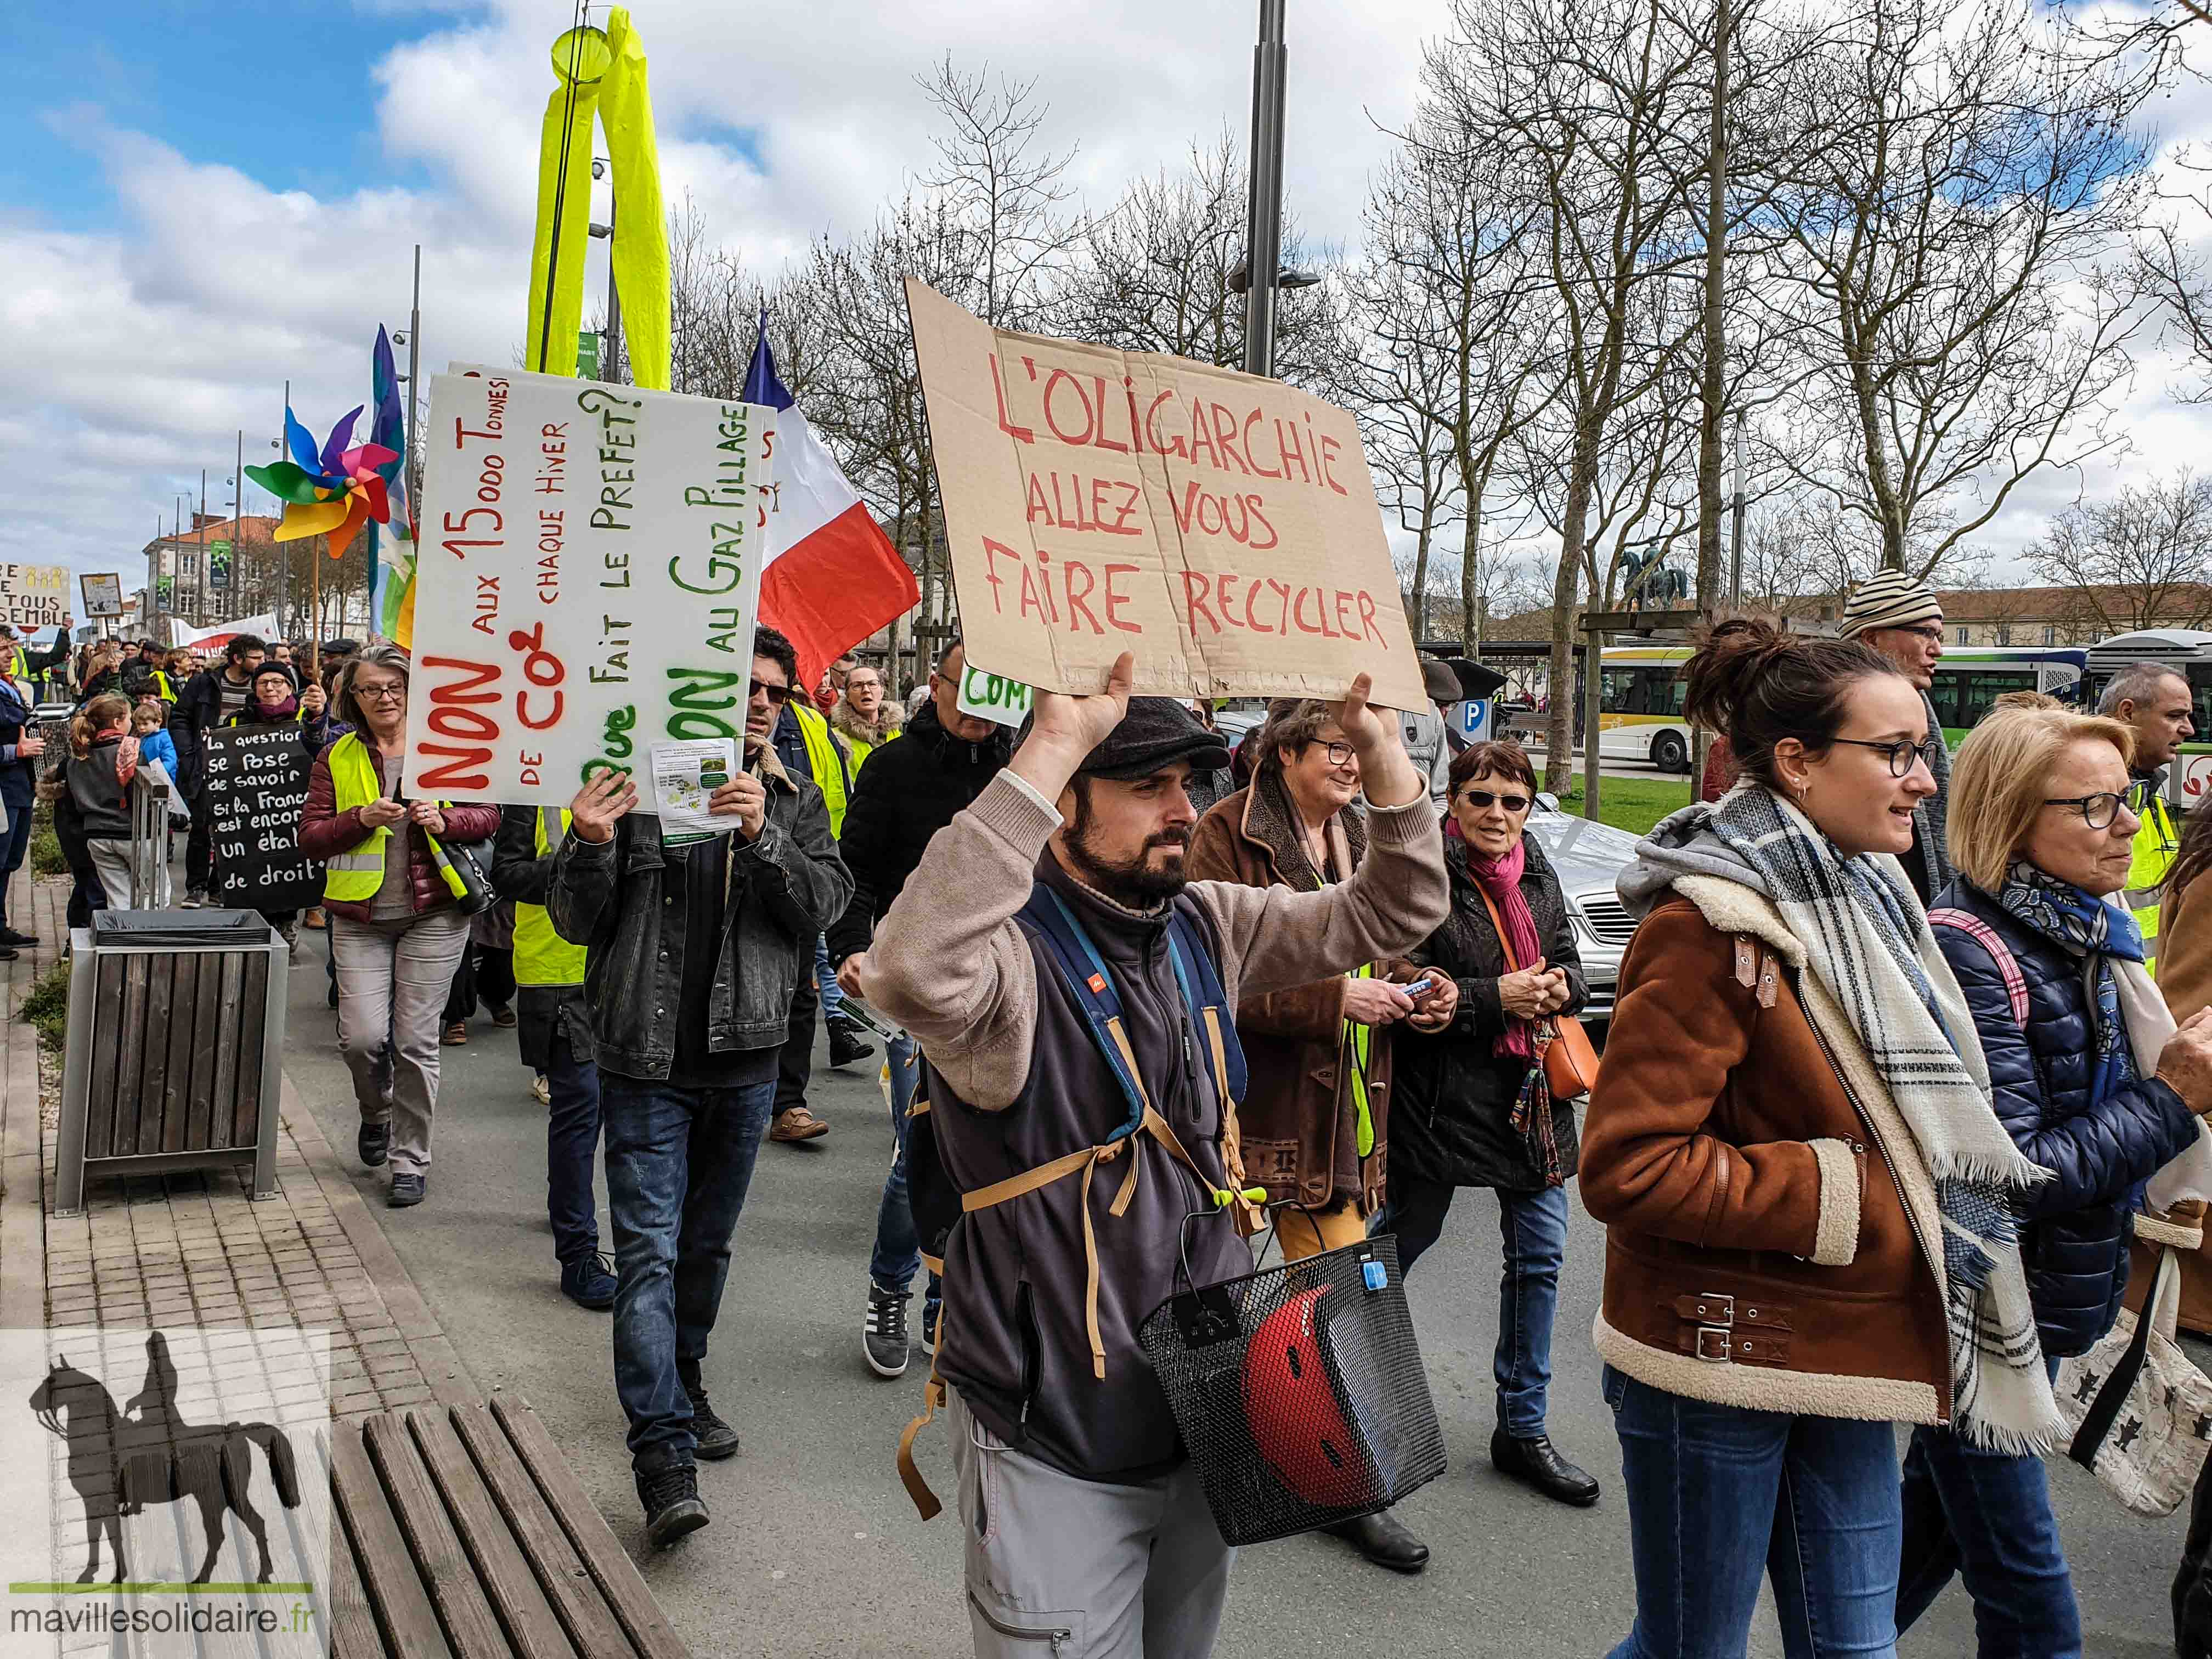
pixel 2138 561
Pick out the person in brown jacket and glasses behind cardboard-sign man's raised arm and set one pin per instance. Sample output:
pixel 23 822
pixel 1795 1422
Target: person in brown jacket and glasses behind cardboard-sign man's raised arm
pixel 1315 1118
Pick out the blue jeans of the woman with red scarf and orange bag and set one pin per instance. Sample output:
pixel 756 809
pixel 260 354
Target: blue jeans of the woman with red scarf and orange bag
pixel 1534 1229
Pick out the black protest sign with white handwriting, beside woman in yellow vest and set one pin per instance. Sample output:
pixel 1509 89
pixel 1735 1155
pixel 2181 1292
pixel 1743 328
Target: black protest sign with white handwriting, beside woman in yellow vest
pixel 258 791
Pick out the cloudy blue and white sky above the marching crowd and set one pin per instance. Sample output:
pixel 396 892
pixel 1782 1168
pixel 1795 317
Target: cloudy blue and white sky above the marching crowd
pixel 205 202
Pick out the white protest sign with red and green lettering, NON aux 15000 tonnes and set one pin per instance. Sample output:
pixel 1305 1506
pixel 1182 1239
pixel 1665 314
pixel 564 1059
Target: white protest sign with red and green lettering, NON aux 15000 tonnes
pixel 587 581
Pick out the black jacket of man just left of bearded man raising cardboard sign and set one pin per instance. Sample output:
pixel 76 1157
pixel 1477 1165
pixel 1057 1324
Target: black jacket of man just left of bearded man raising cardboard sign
pixel 910 789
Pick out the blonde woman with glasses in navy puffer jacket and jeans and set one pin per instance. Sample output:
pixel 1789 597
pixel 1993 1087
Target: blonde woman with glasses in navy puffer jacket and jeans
pixel 2094 1085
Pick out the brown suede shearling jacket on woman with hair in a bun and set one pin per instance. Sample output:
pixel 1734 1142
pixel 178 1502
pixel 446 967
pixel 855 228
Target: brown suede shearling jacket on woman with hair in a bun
pixel 1762 1246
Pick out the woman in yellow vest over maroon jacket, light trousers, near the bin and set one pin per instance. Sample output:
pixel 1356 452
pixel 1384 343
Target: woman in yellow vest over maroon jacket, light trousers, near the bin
pixel 395 930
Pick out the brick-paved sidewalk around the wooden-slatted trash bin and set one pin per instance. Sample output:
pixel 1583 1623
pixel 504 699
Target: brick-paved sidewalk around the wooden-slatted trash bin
pixel 196 1249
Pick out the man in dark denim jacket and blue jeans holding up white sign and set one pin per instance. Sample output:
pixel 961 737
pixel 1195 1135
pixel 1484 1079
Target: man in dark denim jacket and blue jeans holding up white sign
pixel 693 952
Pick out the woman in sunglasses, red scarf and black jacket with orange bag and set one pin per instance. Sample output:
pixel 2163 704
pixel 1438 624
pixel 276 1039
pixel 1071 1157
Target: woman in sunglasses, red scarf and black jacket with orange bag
pixel 1472 1105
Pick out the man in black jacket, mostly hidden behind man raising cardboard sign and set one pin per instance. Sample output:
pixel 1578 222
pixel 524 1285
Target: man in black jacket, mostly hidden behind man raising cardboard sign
pixel 908 791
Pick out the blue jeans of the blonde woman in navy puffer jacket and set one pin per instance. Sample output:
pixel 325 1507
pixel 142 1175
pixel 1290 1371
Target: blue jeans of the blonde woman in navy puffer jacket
pixel 1987 1519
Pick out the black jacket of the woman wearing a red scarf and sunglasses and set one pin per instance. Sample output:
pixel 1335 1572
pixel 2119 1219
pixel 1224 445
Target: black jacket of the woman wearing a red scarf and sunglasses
pixel 1454 1100
